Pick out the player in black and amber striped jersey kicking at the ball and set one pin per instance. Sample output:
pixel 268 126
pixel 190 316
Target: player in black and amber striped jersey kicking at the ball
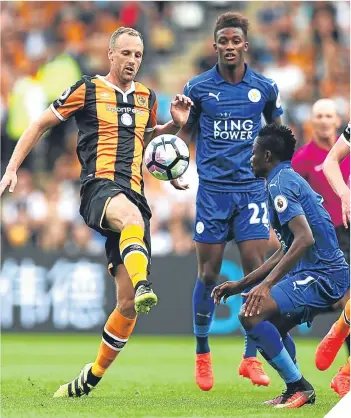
pixel 116 117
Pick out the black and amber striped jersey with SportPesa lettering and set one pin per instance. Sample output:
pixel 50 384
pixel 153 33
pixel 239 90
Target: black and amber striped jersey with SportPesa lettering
pixel 111 128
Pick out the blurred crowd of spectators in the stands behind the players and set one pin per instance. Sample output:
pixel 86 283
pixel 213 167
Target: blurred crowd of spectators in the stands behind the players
pixel 46 46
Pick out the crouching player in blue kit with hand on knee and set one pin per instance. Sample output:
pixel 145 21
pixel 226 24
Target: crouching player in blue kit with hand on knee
pixel 305 277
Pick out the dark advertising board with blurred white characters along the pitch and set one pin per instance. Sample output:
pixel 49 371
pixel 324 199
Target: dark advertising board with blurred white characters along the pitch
pixel 43 292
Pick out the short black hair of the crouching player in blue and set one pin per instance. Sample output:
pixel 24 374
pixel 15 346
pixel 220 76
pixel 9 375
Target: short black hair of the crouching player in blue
pixel 278 139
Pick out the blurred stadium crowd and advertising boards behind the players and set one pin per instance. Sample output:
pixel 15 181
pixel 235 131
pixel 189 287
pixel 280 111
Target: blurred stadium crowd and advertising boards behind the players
pixel 53 276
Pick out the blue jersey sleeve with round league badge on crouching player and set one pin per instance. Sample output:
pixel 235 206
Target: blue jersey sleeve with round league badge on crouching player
pixel 285 199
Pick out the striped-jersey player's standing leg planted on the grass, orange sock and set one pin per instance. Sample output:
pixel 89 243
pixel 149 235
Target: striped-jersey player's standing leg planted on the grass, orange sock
pixel 118 328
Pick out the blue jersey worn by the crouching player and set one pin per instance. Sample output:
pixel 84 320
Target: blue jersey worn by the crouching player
pixel 289 196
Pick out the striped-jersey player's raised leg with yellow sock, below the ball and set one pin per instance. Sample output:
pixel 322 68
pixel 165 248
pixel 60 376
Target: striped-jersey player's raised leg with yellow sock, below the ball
pixel 122 215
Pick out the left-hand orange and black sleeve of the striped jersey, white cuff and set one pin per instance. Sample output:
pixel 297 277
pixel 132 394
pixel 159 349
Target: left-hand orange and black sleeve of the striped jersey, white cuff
pixel 70 101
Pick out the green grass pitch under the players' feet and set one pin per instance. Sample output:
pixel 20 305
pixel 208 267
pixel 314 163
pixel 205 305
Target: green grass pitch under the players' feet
pixel 153 377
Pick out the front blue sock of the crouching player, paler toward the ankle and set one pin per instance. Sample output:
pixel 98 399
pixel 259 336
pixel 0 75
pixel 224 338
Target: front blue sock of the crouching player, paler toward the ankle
pixel 268 341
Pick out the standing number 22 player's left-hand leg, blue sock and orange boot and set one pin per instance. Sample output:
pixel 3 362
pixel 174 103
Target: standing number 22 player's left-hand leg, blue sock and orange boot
pixel 209 265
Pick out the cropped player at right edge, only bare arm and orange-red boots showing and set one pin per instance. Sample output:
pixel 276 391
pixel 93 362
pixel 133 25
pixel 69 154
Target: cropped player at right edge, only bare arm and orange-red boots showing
pixel 331 343
